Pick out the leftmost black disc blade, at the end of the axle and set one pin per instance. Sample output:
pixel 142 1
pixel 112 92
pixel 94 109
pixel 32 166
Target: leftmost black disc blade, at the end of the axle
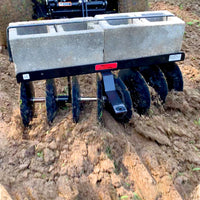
pixel 26 106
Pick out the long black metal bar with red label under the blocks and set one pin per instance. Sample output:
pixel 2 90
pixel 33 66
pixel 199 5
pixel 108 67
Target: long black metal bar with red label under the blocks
pixel 87 69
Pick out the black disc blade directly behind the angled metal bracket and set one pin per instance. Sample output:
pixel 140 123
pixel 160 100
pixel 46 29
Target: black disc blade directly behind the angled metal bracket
pixel 126 100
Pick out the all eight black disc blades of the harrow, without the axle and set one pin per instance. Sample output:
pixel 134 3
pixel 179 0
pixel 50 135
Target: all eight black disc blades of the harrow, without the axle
pixel 131 86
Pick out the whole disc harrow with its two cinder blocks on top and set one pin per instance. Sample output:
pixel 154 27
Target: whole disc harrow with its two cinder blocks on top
pixel 120 93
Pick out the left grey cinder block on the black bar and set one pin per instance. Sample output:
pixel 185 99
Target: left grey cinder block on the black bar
pixel 55 46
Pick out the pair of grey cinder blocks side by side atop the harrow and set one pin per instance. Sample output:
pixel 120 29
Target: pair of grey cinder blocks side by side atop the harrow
pixel 84 41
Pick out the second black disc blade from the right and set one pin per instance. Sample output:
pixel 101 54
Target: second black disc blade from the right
pixel 156 79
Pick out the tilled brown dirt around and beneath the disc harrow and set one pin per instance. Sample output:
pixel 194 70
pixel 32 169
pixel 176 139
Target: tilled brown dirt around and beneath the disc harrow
pixel 154 157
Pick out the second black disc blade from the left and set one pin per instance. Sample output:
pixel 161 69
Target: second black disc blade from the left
pixel 51 104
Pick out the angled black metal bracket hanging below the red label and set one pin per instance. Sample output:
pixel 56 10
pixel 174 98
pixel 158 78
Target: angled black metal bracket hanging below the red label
pixel 113 97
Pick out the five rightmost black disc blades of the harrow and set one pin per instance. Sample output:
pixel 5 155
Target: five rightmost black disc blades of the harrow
pixel 132 85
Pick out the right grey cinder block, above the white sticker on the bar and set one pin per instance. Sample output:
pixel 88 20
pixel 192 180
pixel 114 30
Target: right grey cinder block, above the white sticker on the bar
pixel 142 37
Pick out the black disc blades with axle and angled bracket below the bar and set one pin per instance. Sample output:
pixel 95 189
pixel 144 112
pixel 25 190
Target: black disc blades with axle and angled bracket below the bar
pixel 118 94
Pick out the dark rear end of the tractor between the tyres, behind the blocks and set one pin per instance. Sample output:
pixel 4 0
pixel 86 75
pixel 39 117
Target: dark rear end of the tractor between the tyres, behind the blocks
pixel 55 9
